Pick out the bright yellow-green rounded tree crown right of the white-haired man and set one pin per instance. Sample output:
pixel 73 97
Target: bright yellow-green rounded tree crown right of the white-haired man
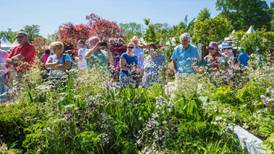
pixel 214 29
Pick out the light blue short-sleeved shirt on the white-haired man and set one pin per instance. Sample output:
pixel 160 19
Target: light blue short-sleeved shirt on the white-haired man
pixel 184 58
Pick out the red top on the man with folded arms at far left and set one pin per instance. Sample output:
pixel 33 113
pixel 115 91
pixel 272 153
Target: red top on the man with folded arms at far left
pixel 28 52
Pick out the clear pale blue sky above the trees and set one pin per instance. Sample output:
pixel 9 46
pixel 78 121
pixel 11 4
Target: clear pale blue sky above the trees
pixel 49 14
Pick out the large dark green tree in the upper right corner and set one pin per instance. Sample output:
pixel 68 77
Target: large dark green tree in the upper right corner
pixel 244 13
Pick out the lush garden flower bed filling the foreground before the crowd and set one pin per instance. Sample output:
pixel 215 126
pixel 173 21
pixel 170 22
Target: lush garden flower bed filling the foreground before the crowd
pixel 191 117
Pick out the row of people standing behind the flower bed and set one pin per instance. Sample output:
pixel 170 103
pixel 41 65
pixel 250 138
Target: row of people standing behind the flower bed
pixel 128 63
